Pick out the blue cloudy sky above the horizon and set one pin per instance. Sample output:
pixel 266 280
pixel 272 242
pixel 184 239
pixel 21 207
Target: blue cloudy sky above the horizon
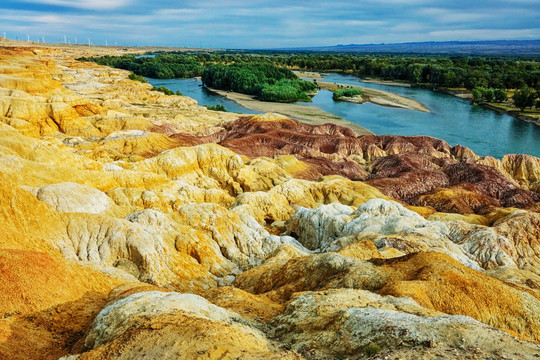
pixel 267 24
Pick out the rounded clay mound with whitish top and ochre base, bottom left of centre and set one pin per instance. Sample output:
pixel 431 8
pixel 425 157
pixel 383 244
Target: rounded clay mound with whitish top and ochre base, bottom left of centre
pixel 158 325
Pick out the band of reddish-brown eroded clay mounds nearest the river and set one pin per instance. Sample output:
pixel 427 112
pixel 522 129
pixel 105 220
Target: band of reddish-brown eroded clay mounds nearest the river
pixel 420 170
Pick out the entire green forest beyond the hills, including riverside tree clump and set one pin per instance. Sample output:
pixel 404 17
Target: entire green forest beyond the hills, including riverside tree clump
pixel 261 72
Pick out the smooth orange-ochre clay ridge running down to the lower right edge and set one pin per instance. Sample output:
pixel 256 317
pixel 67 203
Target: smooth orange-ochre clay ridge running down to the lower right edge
pixel 434 280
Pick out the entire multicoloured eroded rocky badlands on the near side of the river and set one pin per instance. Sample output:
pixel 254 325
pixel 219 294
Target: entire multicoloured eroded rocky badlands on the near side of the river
pixel 142 226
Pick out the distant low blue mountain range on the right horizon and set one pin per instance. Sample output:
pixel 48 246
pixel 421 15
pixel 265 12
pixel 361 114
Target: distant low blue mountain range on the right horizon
pixel 495 47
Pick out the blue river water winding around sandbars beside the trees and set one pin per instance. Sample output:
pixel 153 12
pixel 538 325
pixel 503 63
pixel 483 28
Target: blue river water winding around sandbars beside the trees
pixel 452 119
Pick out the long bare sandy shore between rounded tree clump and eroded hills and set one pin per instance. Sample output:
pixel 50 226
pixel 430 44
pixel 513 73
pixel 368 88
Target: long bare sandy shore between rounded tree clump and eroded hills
pixel 306 113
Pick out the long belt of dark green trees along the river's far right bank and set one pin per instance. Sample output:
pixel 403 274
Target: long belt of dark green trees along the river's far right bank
pixel 433 70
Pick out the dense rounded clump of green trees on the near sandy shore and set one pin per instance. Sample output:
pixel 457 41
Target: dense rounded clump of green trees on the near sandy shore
pixel 264 80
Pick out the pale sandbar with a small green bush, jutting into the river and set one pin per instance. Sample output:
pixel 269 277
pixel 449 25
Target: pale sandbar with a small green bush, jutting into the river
pixel 378 97
